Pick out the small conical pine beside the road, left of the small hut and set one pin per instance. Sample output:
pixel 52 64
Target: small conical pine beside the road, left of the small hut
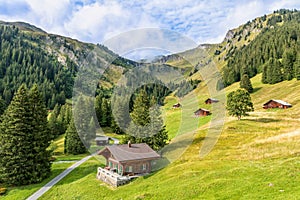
pixel 73 143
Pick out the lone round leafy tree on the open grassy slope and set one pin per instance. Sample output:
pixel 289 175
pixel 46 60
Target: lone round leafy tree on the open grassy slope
pixel 239 103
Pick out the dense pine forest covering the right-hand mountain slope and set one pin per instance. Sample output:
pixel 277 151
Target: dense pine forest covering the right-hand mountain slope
pixel 274 52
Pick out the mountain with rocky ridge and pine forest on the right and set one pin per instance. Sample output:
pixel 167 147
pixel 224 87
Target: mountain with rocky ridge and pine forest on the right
pixel 248 48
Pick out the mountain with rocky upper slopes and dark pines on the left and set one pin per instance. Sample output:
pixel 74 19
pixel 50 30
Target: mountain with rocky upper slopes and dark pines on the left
pixel 30 55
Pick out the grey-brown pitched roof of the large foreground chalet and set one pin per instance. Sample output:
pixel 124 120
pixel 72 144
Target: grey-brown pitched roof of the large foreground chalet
pixel 135 152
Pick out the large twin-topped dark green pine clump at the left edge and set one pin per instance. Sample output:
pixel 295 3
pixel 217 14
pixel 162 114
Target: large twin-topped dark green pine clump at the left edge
pixel 24 139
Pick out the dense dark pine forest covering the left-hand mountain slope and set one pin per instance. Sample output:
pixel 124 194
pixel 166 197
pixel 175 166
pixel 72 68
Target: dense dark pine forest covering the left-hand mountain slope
pixel 23 61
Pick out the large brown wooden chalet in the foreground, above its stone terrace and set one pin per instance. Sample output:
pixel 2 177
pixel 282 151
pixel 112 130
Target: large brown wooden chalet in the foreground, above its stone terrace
pixel 129 159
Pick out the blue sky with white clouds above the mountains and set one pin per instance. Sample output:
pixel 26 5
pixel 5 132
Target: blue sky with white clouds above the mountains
pixel 97 21
